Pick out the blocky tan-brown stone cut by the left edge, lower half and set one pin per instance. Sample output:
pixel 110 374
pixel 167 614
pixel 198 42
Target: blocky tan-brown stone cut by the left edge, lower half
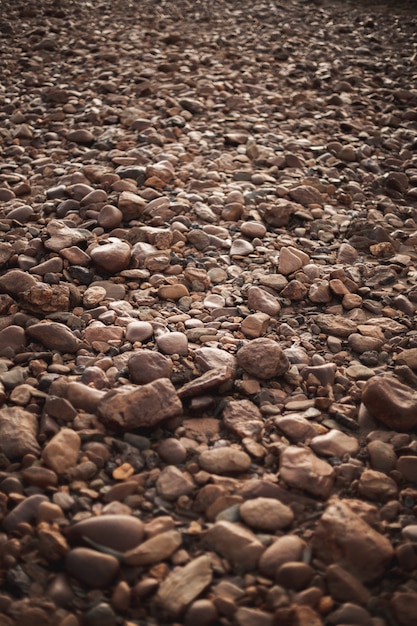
pixel 18 433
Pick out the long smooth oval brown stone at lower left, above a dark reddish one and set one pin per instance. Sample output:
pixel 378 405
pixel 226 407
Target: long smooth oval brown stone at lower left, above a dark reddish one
pixel 117 532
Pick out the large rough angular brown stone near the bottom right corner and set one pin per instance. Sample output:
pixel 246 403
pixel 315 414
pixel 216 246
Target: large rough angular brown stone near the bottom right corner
pixel 344 538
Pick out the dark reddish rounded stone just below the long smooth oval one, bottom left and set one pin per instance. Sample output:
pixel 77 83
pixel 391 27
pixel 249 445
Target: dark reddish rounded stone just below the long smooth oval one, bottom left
pixel 91 568
